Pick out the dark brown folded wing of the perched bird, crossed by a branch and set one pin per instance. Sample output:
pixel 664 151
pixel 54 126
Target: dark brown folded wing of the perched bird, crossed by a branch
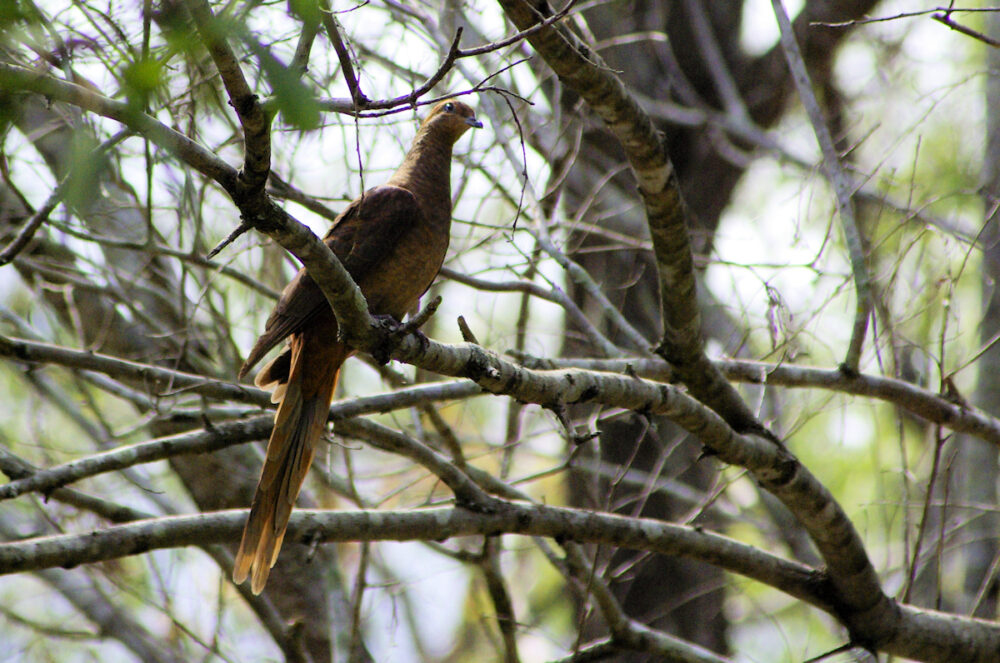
pixel 361 237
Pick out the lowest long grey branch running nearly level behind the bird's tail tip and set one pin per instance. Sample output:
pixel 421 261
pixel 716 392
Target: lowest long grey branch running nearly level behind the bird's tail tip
pixel 954 638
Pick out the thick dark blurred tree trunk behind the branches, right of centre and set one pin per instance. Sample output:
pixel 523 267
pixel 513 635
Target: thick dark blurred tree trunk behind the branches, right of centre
pixel 684 69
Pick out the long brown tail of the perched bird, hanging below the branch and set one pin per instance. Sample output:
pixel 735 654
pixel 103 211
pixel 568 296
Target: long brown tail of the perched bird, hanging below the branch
pixel 304 402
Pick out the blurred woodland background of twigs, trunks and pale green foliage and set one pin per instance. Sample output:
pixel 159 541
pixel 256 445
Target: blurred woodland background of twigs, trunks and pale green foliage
pixel 550 259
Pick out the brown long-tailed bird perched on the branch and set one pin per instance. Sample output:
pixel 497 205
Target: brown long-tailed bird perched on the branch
pixel 392 240
